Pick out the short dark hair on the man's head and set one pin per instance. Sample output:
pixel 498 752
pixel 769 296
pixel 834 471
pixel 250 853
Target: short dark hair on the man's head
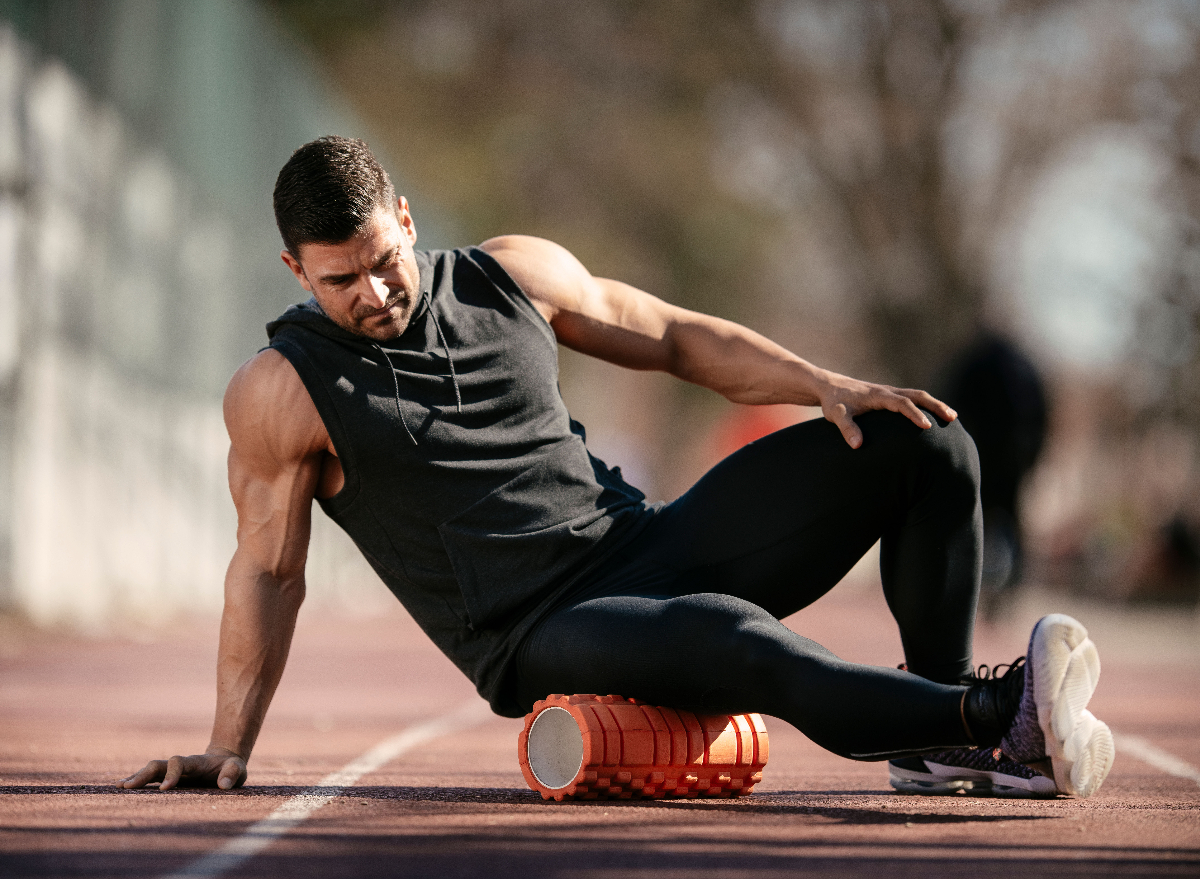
pixel 328 192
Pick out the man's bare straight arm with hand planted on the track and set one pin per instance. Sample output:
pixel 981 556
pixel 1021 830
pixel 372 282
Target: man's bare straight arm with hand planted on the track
pixel 278 444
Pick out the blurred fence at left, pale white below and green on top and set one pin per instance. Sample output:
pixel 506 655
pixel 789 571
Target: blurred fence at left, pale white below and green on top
pixel 134 279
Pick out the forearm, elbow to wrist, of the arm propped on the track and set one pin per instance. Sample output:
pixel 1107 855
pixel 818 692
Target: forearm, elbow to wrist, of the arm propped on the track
pixel 256 635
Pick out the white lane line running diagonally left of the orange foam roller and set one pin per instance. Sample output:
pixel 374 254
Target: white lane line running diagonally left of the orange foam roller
pixel 297 810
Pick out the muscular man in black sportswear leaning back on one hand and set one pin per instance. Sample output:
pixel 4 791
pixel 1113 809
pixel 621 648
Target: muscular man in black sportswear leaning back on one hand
pixel 416 398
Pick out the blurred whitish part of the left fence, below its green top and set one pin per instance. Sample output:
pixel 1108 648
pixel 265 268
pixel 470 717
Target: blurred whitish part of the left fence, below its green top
pixel 113 494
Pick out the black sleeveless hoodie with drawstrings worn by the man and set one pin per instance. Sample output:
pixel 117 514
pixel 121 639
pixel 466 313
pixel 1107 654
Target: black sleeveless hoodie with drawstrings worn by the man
pixel 469 487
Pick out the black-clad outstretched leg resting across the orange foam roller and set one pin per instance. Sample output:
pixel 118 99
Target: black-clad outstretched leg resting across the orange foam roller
pixel 719 654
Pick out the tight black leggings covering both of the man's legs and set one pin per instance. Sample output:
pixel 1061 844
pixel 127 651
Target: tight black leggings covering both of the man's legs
pixel 688 614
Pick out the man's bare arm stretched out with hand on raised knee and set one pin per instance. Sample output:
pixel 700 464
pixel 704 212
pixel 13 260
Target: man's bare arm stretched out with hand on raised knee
pixel 626 326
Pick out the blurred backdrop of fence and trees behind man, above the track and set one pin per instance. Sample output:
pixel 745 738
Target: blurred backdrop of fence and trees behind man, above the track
pixel 999 201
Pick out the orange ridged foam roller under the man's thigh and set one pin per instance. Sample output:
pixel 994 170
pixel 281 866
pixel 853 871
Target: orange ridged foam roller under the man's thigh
pixel 591 748
